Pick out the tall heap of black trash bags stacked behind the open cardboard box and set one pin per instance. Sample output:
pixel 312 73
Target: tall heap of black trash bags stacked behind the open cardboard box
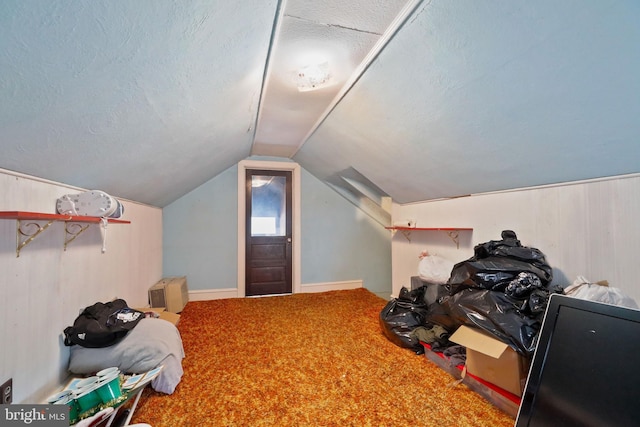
pixel 503 289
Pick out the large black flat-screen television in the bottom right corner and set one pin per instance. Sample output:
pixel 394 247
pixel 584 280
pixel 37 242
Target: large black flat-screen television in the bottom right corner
pixel 585 369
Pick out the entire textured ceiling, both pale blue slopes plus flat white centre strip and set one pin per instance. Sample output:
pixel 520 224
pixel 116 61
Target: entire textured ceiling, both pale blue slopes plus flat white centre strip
pixel 147 100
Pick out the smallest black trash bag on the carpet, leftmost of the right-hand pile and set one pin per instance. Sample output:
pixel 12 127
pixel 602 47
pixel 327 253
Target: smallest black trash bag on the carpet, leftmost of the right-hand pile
pixel 402 315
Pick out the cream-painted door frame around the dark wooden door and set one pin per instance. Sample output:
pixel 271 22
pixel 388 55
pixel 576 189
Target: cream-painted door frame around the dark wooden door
pixel 295 225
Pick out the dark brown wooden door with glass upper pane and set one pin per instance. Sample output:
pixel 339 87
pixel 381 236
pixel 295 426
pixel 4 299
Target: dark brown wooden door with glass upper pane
pixel 268 232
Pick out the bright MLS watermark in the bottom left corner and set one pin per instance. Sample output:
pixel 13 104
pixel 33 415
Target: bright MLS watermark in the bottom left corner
pixel 34 415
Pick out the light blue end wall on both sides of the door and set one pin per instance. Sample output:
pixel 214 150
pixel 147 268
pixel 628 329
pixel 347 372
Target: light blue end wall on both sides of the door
pixel 338 243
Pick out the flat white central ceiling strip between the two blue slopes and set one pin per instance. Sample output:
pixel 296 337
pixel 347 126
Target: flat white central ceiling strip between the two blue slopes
pixel 309 34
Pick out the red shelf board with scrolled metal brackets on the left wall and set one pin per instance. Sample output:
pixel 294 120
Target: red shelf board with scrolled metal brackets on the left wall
pixel 28 230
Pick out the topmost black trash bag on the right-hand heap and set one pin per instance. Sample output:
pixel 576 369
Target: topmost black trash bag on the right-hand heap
pixel 497 263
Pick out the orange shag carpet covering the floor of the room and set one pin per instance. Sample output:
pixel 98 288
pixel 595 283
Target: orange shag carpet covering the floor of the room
pixel 306 360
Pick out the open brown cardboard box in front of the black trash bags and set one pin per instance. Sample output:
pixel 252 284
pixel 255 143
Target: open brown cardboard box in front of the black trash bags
pixel 492 360
